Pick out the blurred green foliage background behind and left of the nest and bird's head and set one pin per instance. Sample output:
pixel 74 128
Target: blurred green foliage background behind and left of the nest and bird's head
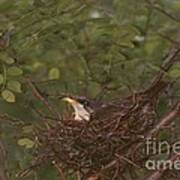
pixel 104 48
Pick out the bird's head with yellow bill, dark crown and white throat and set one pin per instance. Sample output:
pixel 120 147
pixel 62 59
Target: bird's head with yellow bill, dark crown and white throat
pixel 81 105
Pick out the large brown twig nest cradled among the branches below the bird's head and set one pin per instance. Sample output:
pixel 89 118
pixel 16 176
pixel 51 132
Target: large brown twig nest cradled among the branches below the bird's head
pixel 105 146
